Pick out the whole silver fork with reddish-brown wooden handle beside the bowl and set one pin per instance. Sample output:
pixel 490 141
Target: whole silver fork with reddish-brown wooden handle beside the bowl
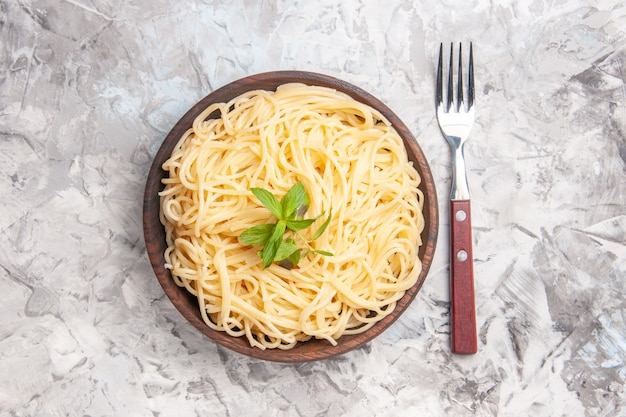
pixel 455 118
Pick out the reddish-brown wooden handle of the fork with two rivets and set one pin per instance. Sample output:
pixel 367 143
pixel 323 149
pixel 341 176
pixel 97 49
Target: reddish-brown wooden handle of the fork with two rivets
pixel 462 309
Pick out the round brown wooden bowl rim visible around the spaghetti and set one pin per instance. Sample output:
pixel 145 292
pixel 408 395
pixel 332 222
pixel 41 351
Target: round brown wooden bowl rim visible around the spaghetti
pixel 187 304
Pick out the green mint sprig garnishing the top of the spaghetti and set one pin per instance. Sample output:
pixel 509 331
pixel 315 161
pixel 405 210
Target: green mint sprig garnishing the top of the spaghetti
pixel 280 240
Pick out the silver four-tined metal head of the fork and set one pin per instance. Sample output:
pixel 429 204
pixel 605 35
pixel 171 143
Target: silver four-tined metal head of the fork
pixel 454 115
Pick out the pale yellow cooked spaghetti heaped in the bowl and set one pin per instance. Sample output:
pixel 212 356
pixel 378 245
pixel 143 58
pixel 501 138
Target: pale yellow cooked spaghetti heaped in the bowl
pixel 349 159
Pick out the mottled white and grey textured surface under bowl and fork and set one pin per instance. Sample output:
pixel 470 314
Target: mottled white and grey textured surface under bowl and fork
pixel 89 89
